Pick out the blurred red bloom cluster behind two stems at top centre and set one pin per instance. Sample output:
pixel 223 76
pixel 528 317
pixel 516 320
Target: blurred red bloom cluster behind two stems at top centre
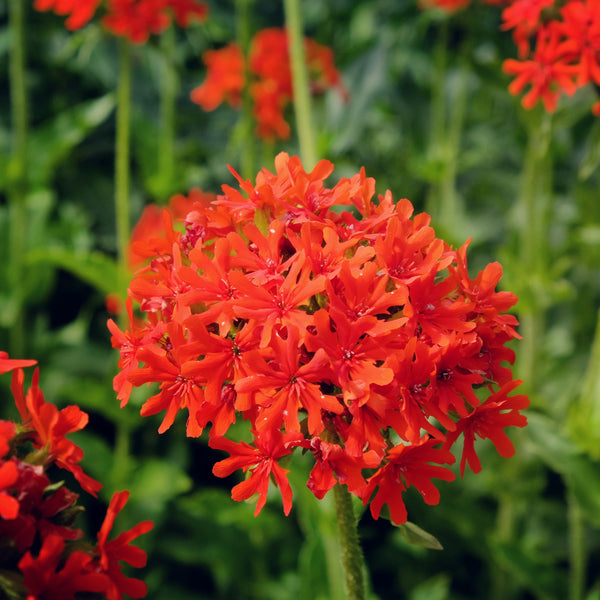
pixel 271 80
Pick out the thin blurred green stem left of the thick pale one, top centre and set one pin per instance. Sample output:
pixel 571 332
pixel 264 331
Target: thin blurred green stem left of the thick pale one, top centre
pixel 246 125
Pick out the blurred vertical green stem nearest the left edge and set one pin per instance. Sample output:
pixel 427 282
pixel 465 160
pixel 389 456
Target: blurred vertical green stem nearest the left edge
pixel 18 184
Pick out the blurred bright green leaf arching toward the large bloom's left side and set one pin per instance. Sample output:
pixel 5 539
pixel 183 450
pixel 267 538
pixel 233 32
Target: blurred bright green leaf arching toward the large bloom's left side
pixel 97 269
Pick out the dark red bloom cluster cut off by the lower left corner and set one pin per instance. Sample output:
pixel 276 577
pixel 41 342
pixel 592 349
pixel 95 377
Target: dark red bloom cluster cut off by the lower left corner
pixel 40 557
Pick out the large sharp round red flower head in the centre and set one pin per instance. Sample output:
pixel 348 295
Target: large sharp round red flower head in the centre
pixel 355 335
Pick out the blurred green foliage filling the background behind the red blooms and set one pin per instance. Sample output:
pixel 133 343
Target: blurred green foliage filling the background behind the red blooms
pixel 429 117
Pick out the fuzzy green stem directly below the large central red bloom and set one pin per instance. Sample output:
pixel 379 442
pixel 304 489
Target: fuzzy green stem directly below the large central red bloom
pixel 352 557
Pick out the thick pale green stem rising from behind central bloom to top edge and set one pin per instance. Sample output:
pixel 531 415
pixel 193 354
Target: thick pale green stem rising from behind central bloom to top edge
pixel 300 83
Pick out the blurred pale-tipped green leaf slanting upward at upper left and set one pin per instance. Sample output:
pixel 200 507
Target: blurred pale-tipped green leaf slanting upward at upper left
pixel 52 143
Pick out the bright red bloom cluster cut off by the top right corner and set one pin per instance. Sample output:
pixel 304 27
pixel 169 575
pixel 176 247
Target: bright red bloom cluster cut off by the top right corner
pixel 564 55
